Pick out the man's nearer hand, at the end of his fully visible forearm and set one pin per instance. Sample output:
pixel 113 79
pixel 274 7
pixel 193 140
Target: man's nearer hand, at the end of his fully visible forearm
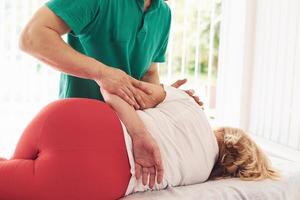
pixel 116 81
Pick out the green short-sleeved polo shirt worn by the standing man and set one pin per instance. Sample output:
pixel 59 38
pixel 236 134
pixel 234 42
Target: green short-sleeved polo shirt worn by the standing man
pixel 115 32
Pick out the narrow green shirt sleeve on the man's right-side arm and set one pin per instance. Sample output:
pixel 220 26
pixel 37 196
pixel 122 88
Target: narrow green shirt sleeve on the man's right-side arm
pixel 160 55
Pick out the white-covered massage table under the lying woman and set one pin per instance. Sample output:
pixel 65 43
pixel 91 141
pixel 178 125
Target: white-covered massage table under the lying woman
pixel 288 188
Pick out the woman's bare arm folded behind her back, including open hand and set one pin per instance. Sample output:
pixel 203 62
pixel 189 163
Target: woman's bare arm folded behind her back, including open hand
pixel 146 152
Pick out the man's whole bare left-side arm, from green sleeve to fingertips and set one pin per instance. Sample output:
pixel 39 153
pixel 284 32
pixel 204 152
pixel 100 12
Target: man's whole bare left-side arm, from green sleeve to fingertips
pixel 42 39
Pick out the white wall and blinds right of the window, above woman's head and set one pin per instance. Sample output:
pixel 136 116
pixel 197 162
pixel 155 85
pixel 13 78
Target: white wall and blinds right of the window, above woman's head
pixel 260 69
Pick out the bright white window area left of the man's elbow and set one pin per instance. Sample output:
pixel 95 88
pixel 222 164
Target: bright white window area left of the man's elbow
pixel 25 84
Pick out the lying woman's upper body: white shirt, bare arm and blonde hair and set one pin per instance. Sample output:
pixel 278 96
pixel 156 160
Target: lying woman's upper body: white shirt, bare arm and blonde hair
pixel 189 150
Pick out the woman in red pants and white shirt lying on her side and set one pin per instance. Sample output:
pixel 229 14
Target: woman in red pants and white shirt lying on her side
pixel 75 149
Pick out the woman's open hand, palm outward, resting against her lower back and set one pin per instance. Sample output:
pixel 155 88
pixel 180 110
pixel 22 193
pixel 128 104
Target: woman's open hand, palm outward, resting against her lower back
pixel 147 159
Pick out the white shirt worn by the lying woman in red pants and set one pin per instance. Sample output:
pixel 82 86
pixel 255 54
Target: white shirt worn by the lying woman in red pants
pixel 187 144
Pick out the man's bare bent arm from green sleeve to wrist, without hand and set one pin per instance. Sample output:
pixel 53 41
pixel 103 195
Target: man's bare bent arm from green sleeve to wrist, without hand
pixel 42 39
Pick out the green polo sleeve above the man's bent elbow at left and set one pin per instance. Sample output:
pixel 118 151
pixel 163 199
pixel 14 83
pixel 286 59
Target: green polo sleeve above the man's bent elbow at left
pixel 77 14
